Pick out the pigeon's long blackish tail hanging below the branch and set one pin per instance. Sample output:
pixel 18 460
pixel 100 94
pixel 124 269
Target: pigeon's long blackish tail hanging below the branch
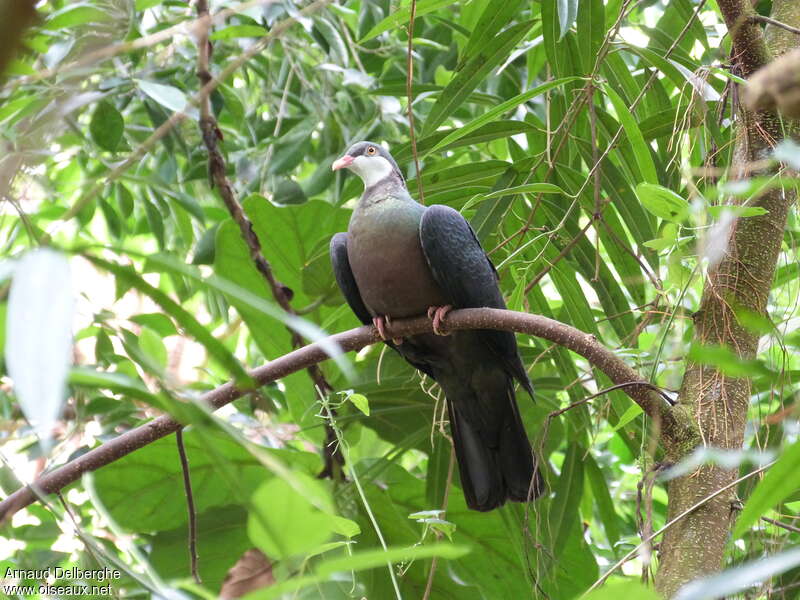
pixel 494 455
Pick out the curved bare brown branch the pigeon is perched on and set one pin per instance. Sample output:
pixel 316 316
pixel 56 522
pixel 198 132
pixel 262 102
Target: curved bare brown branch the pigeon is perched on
pixel 673 426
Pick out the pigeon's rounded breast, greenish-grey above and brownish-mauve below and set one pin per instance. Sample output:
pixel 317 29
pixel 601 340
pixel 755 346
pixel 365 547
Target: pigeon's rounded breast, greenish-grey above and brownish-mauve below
pixel 388 264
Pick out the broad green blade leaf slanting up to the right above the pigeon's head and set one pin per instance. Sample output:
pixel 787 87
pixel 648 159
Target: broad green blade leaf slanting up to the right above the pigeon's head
pixel 487 58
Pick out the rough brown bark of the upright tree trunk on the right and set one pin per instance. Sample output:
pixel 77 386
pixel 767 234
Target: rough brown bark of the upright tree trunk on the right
pixel 695 546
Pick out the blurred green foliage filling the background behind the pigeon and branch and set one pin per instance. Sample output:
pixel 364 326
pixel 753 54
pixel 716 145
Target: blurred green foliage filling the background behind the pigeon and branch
pixel 514 103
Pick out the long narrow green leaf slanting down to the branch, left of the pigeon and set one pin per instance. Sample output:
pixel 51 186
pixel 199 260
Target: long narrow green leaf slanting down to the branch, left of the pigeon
pixel 191 325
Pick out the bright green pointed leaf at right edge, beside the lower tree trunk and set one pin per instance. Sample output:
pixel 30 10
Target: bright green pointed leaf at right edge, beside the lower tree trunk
pixel 782 480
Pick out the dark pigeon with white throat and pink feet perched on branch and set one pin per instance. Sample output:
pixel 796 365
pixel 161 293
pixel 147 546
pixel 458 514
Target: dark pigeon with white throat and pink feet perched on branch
pixel 401 259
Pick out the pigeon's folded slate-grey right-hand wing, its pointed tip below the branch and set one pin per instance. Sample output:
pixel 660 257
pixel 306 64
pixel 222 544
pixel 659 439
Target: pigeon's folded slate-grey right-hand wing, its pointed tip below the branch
pixel 467 277
